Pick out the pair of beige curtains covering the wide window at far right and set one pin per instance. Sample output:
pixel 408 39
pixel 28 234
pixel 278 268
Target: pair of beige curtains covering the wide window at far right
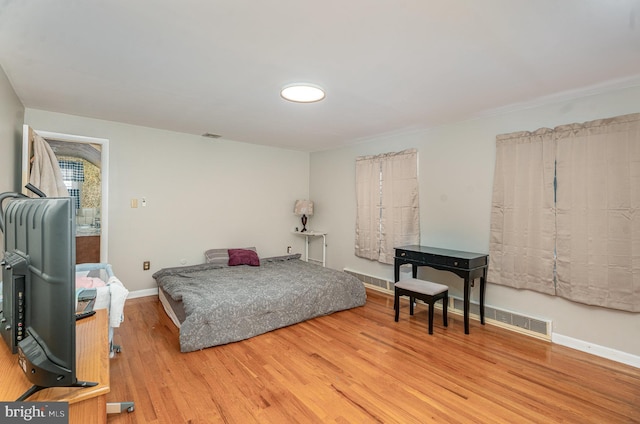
pixel 579 239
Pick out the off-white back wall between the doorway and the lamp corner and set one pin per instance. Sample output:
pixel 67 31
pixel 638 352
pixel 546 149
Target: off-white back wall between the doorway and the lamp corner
pixel 201 193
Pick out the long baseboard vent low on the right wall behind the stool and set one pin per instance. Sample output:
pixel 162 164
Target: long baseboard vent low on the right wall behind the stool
pixel 514 321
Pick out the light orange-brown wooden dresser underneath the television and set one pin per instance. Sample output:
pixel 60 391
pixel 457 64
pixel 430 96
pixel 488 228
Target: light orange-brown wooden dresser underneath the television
pixel 86 405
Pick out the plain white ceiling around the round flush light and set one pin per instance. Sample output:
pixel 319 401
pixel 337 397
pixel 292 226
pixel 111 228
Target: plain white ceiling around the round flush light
pixel 388 66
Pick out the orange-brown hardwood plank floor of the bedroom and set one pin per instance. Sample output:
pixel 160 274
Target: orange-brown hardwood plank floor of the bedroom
pixel 359 366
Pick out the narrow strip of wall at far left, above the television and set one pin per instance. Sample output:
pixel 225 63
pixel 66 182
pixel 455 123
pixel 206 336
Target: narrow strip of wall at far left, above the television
pixel 11 118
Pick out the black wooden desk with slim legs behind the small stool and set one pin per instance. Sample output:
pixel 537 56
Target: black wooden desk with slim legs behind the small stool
pixel 466 265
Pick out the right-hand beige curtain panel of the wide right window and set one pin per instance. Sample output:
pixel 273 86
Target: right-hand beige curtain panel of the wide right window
pixel 598 212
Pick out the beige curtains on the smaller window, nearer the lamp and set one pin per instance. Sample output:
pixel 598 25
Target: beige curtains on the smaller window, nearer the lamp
pixel 388 213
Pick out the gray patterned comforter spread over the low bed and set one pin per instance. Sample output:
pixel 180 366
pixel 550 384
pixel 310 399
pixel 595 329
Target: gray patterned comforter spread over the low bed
pixel 228 304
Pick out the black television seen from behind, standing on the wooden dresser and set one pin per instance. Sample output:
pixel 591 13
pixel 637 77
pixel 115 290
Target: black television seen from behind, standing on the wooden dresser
pixel 38 273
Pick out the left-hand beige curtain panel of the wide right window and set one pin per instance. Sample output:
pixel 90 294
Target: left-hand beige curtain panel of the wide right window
pixel 522 235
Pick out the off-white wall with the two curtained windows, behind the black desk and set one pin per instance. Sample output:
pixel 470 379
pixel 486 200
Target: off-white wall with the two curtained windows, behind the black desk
pixel 456 165
